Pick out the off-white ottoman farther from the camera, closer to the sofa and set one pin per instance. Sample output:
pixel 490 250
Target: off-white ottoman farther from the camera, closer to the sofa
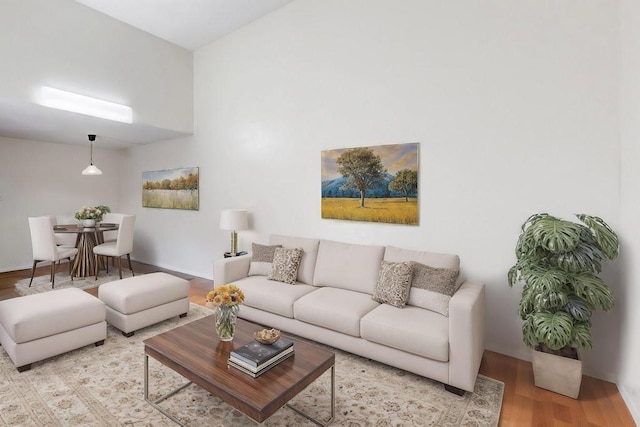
pixel 137 302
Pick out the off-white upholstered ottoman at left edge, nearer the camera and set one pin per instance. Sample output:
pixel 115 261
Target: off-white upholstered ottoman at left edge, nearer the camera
pixel 36 327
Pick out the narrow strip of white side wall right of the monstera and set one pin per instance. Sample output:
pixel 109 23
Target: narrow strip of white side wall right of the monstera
pixel 629 377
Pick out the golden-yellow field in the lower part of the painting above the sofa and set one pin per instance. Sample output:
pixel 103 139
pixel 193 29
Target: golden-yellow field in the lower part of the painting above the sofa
pixel 393 210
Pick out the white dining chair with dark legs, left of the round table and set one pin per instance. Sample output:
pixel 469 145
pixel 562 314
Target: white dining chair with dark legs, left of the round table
pixel 43 245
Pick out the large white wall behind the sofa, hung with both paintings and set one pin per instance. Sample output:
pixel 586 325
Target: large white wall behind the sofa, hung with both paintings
pixel 514 104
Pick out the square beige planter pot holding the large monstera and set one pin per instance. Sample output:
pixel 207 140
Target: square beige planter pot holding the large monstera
pixel 556 373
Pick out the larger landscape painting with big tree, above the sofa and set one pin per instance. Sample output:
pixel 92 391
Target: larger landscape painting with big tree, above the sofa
pixel 378 184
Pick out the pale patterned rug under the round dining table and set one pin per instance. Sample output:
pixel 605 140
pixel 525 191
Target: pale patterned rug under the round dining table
pixel 43 284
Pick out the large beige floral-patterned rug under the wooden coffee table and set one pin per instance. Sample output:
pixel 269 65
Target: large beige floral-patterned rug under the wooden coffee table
pixel 103 386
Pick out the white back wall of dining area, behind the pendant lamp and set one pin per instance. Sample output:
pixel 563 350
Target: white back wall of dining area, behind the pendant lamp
pixel 38 178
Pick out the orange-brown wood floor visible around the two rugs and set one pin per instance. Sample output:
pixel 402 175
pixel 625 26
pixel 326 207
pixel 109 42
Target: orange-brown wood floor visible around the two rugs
pixel 599 403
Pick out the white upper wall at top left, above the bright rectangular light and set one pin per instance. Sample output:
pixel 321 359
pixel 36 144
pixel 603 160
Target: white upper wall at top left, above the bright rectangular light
pixel 66 45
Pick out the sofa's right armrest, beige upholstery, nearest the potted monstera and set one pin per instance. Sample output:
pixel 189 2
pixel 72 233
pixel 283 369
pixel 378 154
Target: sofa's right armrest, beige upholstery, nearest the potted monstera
pixel 466 334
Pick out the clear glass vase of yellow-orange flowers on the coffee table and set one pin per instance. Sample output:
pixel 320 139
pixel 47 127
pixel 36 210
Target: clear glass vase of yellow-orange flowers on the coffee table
pixel 227 300
